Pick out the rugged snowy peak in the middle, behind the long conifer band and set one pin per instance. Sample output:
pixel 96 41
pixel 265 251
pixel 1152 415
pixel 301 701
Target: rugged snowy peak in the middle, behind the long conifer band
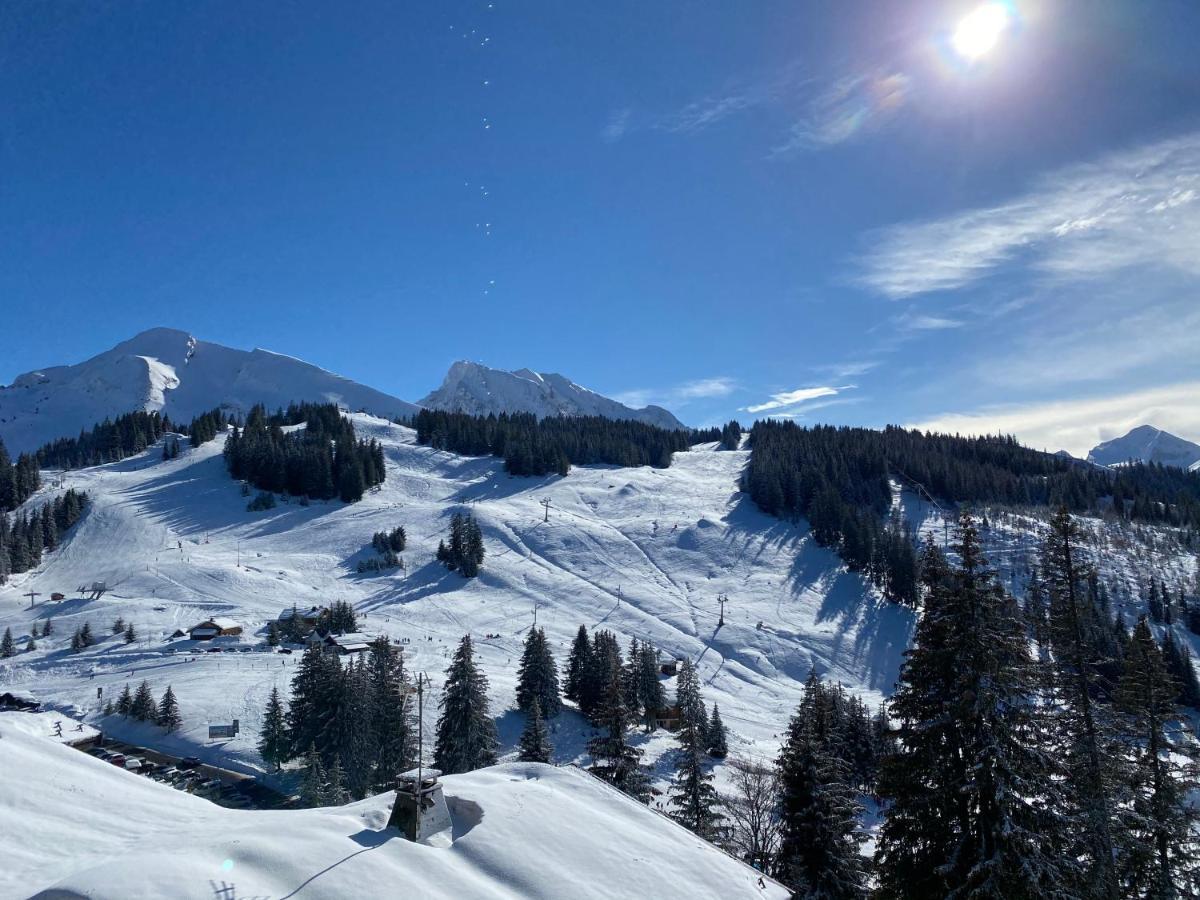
pixel 481 391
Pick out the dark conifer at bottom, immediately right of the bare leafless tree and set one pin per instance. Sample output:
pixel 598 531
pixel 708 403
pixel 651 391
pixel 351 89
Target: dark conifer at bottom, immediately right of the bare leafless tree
pixel 820 833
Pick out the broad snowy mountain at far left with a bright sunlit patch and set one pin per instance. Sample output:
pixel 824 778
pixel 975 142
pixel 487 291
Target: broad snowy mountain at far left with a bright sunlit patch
pixel 176 374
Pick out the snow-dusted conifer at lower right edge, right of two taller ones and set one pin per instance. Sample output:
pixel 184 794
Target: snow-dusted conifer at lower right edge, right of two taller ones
pixel 1162 860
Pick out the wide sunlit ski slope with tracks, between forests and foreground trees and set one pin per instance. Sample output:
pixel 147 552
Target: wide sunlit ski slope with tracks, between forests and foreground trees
pixel 644 553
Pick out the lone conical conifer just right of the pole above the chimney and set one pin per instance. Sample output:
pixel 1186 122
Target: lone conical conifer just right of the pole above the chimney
pixel 466 734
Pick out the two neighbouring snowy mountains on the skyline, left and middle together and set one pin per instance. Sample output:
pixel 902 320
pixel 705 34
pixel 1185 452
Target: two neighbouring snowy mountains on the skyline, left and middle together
pixel 176 374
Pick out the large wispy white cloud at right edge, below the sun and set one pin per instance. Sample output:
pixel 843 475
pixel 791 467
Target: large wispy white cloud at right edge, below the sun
pixel 1137 208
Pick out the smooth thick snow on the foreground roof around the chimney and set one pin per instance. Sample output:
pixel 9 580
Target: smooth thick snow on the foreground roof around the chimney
pixel 520 831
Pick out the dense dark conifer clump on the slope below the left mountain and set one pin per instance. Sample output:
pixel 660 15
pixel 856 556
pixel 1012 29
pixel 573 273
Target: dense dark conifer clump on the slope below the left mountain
pixel 323 461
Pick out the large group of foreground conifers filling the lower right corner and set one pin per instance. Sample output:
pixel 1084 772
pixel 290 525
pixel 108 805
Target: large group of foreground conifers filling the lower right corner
pixel 1006 771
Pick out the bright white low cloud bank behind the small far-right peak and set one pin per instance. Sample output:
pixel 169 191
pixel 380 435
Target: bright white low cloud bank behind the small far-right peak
pixel 1079 425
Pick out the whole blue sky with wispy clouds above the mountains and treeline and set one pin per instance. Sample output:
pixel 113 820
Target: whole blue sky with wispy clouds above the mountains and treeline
pixel 815 211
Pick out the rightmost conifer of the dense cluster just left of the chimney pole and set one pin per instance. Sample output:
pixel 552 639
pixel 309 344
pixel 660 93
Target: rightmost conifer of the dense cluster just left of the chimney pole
pixel 392 710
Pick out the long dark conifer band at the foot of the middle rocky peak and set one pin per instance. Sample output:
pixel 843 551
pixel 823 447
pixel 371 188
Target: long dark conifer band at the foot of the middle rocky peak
pixel 533 447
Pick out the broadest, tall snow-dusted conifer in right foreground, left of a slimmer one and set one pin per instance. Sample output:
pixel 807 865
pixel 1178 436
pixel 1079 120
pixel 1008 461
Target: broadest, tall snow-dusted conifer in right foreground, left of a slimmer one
pixel 971 788
